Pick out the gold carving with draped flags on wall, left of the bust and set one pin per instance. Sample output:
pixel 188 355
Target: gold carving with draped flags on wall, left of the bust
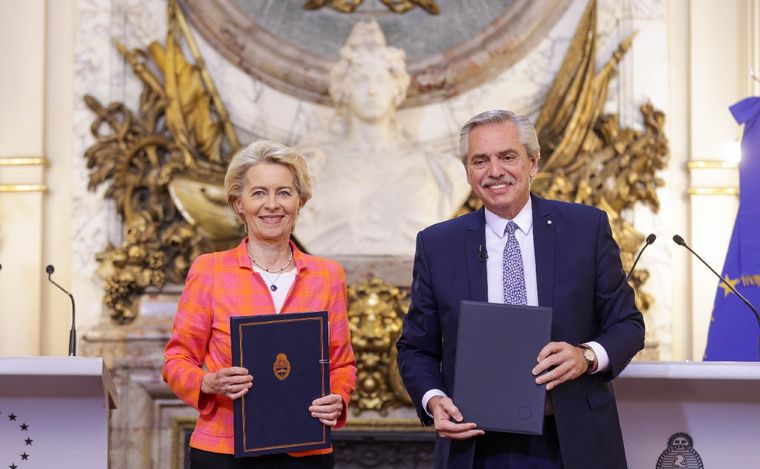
pixel 180 131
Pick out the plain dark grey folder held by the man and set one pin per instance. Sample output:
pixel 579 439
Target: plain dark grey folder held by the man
pixel 497 346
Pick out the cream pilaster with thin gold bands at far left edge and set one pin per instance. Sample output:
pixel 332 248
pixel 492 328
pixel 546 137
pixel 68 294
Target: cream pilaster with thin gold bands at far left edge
pixel 22 167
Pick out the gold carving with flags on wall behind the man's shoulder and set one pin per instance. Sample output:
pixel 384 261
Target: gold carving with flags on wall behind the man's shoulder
pixel 588 158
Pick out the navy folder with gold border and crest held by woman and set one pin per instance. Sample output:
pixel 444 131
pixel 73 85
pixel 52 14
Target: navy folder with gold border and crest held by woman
pixel 288 357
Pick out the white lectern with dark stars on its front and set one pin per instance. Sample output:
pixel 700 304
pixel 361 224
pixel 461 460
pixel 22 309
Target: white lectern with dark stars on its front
pixel 54 412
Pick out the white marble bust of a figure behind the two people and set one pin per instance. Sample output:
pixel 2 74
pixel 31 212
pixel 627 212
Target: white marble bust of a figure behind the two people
pixel 373 191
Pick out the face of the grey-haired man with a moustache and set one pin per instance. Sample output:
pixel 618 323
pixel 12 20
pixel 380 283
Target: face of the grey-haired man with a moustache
pixel 498 168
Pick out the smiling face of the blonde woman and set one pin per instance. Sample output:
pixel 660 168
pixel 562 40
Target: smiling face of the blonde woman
pixel 269 202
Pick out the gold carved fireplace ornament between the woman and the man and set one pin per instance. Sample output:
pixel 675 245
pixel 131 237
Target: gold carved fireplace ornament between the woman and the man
pixel 375 314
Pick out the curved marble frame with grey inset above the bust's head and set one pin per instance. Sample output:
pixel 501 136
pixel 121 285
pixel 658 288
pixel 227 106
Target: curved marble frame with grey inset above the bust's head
pixel 292 49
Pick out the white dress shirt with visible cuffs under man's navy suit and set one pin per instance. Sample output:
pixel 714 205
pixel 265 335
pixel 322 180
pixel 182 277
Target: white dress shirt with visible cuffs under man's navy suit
pixel 496 239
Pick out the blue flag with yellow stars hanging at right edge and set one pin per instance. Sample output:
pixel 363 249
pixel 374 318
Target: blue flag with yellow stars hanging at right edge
pixel 734 330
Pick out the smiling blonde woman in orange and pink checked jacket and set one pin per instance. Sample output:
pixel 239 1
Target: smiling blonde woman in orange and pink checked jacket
pixel 266 185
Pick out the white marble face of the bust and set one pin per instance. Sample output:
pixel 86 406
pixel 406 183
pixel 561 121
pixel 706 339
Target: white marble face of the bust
pixel 373 90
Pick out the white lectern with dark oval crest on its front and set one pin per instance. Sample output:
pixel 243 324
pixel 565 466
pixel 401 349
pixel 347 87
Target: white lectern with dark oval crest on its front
pixel 701 415
